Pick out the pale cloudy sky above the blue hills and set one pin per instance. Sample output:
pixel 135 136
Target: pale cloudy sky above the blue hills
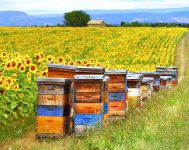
pixel 61 6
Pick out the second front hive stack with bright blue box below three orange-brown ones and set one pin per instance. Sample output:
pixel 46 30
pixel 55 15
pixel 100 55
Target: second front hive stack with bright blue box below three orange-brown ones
pixel 89 111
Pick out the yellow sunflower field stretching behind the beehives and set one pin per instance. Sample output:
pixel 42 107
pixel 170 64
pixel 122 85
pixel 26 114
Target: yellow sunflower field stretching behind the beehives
pixel 25 53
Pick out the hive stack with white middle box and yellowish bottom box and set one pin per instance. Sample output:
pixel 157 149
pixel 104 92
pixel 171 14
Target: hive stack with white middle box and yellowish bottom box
pixel 134 91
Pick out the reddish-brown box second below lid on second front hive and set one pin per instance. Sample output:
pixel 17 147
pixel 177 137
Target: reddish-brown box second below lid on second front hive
pixel 88 97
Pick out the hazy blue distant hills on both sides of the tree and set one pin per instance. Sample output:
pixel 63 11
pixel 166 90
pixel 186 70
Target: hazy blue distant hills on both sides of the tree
pixel 175 15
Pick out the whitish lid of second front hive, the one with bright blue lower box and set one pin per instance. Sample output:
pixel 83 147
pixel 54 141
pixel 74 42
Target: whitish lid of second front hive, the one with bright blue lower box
pixel 89 77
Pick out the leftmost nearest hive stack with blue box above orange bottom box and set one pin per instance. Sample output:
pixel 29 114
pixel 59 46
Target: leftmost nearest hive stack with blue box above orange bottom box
pixel 53 110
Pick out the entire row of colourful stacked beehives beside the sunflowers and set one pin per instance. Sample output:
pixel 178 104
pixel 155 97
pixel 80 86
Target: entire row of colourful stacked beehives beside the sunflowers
pixel 73 99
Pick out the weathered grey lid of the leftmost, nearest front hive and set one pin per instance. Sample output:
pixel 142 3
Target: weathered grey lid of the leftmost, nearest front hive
pixel 55 80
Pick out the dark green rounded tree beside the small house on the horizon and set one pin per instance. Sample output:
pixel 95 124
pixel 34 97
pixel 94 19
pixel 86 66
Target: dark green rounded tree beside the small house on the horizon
pixel 76 18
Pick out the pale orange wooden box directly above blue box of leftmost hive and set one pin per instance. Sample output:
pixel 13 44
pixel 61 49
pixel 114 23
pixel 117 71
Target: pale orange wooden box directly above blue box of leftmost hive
pixel 54 99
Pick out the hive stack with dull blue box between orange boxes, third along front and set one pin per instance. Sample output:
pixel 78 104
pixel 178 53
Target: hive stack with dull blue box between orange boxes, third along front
pixel 117 92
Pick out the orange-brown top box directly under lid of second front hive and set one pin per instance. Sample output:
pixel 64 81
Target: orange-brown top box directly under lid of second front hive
pixel 88 87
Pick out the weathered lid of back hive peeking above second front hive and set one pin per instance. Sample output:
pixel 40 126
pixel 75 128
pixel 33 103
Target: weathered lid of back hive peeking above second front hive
pixel 90 69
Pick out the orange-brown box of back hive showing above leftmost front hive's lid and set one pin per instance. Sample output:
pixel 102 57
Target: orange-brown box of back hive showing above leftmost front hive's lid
pixel 60 74
